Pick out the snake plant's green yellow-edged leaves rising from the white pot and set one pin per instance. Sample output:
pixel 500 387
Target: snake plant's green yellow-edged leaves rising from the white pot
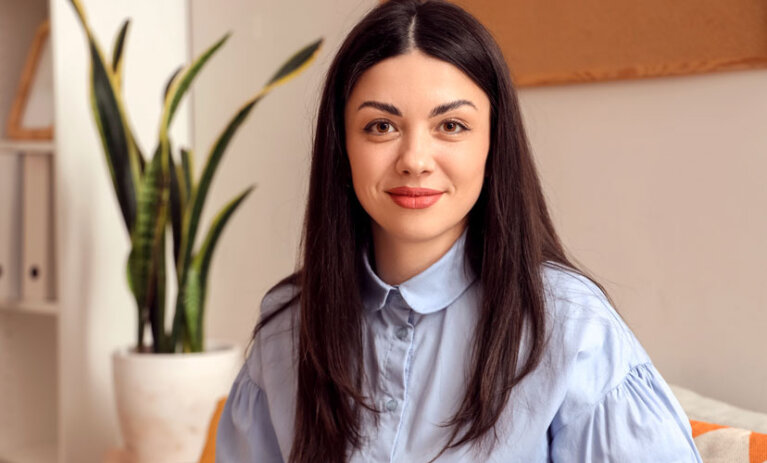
pixel 159 194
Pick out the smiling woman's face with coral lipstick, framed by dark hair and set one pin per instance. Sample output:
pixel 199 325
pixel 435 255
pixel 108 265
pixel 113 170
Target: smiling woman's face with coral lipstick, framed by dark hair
pixel 414 121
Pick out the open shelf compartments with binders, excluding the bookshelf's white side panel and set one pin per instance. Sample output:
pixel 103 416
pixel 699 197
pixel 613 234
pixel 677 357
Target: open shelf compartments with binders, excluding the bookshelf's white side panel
pixel 29 386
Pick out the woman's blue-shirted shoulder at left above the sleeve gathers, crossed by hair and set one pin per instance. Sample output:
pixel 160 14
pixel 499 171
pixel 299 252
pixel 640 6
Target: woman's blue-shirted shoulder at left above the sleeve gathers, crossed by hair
pixel 273 343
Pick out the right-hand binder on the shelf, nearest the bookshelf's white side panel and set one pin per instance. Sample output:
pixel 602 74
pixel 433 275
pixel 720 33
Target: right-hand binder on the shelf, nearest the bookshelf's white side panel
pixel 36 251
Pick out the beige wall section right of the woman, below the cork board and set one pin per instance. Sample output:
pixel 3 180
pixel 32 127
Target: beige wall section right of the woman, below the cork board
pixel 659 186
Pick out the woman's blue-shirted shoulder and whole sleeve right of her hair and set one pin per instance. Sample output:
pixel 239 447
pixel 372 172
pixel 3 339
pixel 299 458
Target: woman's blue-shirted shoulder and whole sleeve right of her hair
pixel 611 400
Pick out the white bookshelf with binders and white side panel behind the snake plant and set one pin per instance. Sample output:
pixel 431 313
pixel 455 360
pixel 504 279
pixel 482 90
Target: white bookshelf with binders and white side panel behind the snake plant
pixel 57 337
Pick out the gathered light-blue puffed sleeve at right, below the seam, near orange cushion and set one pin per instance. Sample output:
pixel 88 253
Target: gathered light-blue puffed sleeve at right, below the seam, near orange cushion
pixel 639 420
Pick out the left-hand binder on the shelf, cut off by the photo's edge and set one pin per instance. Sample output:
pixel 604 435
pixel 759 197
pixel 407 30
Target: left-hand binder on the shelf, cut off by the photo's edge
pixel 10 226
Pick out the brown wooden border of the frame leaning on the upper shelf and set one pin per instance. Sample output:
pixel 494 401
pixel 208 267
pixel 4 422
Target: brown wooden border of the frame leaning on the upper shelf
pixel 14 127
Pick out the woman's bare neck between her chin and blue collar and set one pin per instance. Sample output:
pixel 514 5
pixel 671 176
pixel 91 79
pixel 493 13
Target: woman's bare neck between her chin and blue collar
pixel 398 260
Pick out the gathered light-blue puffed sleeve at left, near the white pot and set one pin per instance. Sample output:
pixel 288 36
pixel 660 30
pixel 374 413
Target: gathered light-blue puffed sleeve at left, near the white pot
pixel 245 431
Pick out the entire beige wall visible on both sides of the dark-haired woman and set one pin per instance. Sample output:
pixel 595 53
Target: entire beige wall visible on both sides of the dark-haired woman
pixel 657 186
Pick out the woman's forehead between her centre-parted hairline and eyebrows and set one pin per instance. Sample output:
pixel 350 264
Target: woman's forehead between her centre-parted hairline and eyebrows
pixel 415 80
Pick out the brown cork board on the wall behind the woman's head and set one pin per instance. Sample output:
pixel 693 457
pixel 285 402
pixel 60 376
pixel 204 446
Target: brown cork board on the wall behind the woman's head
pixel 562 41
